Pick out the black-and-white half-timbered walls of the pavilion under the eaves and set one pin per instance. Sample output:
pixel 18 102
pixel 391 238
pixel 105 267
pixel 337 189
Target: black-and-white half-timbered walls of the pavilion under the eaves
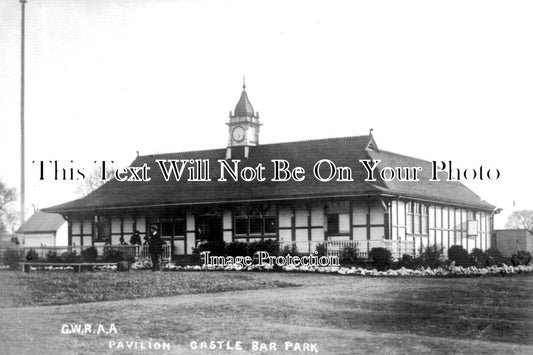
pixel 307 223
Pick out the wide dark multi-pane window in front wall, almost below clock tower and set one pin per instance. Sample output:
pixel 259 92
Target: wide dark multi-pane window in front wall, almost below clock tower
pixel 255 222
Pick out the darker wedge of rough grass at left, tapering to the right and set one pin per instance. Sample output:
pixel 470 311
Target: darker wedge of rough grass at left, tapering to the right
pixel 59 287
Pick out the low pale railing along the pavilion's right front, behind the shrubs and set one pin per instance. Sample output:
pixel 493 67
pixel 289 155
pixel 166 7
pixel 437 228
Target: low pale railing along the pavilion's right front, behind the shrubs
pixel 335 247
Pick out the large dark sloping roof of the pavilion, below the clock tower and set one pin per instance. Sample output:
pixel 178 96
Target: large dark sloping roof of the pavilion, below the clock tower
pixel 344 151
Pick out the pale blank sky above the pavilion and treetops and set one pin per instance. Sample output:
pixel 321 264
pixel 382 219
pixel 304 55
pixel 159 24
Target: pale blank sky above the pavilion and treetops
pixel 436 80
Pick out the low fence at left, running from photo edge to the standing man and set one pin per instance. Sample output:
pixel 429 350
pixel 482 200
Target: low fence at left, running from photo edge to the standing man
pixel 45 253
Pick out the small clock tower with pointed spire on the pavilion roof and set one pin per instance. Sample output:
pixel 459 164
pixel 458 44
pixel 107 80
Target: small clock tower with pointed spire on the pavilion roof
pixel 243 128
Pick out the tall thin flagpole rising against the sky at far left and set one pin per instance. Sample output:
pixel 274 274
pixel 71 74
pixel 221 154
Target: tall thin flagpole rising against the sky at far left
pixel 22 142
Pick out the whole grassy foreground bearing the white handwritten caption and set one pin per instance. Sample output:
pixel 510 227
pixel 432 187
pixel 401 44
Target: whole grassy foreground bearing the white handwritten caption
pixel 340 314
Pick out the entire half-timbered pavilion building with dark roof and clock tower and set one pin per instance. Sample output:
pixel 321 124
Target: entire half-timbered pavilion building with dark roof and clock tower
pixel 401 215
